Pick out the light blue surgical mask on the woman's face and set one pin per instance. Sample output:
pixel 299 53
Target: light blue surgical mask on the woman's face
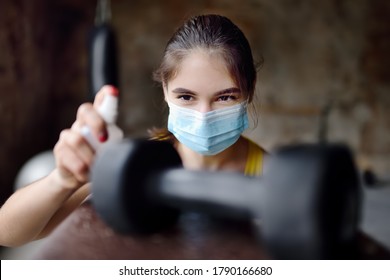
pixel 208 133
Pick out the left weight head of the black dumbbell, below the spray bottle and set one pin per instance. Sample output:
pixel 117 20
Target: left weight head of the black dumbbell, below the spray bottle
pixel 119 172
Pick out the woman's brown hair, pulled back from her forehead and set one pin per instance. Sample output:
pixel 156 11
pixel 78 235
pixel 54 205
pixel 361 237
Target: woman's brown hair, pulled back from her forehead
pixel 213 33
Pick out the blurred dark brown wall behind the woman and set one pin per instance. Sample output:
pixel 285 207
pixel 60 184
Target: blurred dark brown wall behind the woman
pixel 317 53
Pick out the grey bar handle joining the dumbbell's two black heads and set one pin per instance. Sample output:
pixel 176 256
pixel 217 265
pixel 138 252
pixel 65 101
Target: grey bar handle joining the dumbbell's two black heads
pixel 231 194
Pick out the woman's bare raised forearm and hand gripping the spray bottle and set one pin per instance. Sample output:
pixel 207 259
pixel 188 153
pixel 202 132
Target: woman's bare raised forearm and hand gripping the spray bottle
pixel 35 210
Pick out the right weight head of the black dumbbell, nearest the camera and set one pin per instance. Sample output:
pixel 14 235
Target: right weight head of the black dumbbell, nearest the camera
pixel 312 204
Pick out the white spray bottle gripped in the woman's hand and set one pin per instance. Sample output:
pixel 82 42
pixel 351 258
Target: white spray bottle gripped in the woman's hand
pixel 108 110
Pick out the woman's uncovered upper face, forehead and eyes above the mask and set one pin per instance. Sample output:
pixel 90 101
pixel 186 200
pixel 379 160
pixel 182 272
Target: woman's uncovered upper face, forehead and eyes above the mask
pixel 203 83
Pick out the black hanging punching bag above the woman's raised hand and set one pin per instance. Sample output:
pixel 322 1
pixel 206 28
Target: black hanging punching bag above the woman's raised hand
pixel 102 50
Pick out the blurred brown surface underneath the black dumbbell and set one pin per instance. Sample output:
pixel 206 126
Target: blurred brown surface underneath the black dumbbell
pixel 195 236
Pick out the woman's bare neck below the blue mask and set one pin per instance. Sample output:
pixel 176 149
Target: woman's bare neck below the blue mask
pixel 231 159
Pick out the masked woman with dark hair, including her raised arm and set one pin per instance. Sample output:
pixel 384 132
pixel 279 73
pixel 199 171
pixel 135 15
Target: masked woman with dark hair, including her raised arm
pixel 208 78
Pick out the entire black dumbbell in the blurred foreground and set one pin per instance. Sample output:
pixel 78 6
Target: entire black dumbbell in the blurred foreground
pixel 306 206
